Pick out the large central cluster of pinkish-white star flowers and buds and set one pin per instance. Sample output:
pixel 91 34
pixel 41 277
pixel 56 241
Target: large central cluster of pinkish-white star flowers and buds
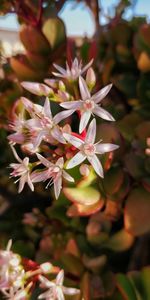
pixel 54 147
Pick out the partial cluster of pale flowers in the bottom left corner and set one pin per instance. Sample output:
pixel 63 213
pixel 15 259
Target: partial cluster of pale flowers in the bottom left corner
pixel 17 278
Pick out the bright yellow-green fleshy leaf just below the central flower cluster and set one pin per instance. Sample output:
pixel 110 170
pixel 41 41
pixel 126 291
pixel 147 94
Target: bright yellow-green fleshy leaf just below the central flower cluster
pixel 84 196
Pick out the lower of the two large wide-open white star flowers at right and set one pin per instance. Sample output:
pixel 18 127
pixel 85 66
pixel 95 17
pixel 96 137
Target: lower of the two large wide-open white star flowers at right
pixel 88 149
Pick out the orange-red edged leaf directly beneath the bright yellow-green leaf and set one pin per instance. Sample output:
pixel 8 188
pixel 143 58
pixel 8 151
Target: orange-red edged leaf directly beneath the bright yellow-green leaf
pixel 76 210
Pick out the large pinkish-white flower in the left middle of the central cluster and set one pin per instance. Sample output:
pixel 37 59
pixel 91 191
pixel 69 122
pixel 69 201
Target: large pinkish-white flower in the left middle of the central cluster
pixel 43 125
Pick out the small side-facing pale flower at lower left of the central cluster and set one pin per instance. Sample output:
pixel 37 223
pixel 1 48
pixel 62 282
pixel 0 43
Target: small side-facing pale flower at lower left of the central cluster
pixel 21 170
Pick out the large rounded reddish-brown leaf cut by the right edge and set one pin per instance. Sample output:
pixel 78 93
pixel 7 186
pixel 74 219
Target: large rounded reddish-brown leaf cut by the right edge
pixel 137 212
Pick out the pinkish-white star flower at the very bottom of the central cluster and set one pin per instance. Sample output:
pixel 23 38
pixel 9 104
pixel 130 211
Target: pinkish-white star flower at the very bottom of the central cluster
pixel 54 172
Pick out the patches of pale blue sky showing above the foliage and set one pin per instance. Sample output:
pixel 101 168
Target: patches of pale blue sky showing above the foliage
pixel 78 19
